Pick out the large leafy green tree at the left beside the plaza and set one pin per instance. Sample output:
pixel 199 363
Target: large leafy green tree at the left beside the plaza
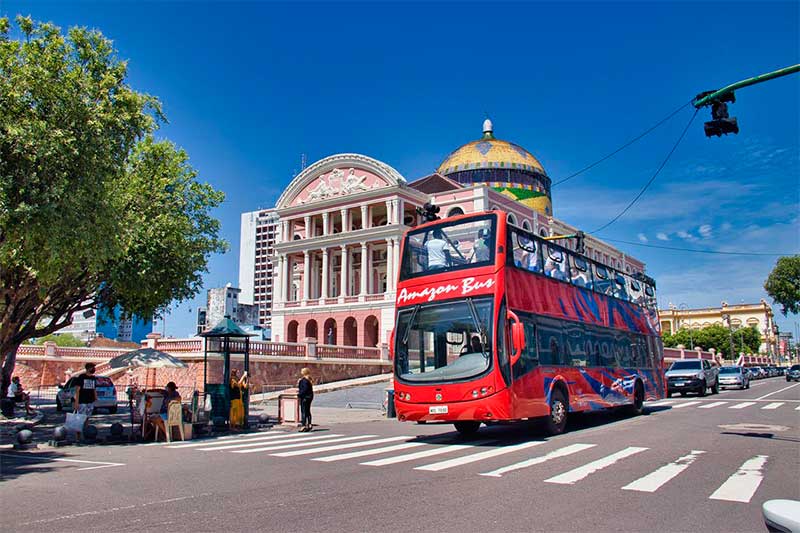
pixel 93 209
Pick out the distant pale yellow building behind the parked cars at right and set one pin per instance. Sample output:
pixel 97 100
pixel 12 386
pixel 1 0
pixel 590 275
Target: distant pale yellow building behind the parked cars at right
pixel 758 315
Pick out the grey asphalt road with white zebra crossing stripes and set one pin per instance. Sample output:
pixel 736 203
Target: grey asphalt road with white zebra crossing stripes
pixel 690 464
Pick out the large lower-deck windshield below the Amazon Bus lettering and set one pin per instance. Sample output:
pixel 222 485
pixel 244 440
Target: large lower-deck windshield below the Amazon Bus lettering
pixel 444 341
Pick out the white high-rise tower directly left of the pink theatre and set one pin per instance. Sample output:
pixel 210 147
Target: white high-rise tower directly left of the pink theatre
pixel 256 269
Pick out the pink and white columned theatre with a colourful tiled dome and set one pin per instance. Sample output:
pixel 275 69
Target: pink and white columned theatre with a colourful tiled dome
pixel 340 223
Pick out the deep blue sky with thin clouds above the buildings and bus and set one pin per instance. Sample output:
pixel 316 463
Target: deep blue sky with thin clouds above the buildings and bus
pixel 248 87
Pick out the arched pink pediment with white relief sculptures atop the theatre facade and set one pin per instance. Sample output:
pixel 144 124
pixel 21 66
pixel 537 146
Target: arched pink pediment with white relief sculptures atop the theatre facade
pixel 338 176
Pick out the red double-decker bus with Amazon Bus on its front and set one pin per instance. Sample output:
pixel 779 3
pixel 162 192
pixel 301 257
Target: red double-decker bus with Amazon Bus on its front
pixel 496 324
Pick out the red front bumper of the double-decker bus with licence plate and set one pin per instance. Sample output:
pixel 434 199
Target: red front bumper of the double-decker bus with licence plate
pixel 486 409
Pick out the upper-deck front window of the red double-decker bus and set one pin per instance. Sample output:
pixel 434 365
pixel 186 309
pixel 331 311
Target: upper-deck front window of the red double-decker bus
pixel 449 246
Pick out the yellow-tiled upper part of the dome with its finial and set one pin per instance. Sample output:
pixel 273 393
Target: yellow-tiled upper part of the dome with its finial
pixel 489 152
